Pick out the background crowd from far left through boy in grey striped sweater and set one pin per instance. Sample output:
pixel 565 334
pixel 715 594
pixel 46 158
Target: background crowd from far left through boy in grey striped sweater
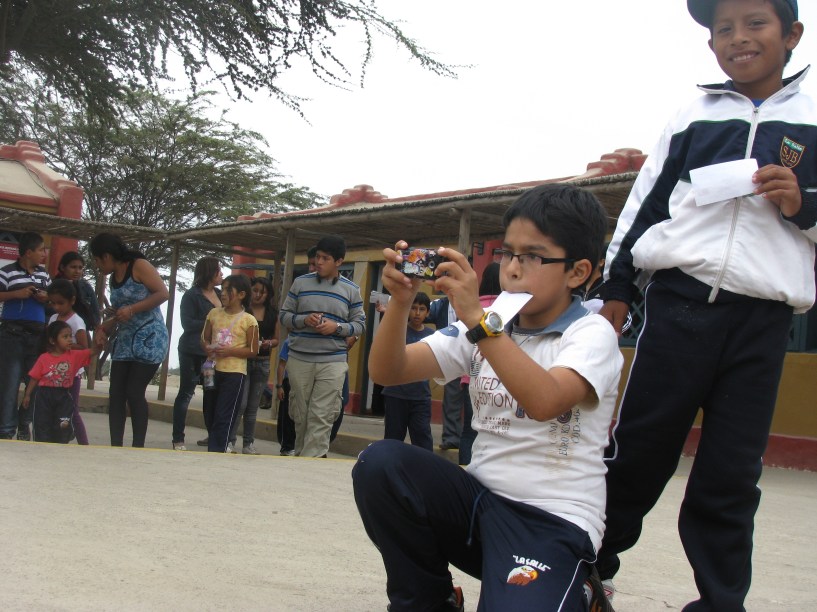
pixel 52 329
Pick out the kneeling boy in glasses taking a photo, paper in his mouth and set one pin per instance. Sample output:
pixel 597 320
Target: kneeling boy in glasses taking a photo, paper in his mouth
pixel 526 516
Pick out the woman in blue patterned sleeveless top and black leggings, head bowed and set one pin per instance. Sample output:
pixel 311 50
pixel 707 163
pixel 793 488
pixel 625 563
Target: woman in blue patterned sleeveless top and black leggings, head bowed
pixel 141 341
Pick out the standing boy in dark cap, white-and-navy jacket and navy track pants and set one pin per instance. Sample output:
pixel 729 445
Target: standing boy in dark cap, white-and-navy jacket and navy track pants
pixel 723 276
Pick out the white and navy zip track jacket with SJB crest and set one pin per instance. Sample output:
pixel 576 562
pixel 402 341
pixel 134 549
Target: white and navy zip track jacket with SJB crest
pixel 743 245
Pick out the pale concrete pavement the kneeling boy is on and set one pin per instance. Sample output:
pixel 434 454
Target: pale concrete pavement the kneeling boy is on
pixel 100 528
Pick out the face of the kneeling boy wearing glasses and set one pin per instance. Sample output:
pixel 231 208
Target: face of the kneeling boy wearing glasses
pixel 550 284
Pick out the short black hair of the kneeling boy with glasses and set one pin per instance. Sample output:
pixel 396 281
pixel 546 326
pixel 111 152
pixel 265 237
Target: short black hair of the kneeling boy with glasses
pixel 573 218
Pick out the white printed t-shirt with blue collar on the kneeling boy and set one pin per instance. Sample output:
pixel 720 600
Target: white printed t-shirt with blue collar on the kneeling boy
pixel 555 465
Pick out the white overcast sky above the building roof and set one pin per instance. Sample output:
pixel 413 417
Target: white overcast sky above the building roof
pixel 552 87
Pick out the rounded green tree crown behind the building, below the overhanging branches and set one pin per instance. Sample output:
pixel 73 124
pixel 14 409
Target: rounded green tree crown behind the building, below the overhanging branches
pixel 165 164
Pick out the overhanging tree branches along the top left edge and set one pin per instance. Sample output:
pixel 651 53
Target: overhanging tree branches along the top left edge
pixel 95 51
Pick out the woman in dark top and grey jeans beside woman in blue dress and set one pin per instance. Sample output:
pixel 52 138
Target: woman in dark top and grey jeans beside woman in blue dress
pixel 196 303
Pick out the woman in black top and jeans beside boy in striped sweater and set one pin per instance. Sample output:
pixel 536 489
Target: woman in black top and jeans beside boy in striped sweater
pixel 258 367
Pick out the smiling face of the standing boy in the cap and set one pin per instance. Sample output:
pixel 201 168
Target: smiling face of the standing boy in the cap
pixel 748 42
